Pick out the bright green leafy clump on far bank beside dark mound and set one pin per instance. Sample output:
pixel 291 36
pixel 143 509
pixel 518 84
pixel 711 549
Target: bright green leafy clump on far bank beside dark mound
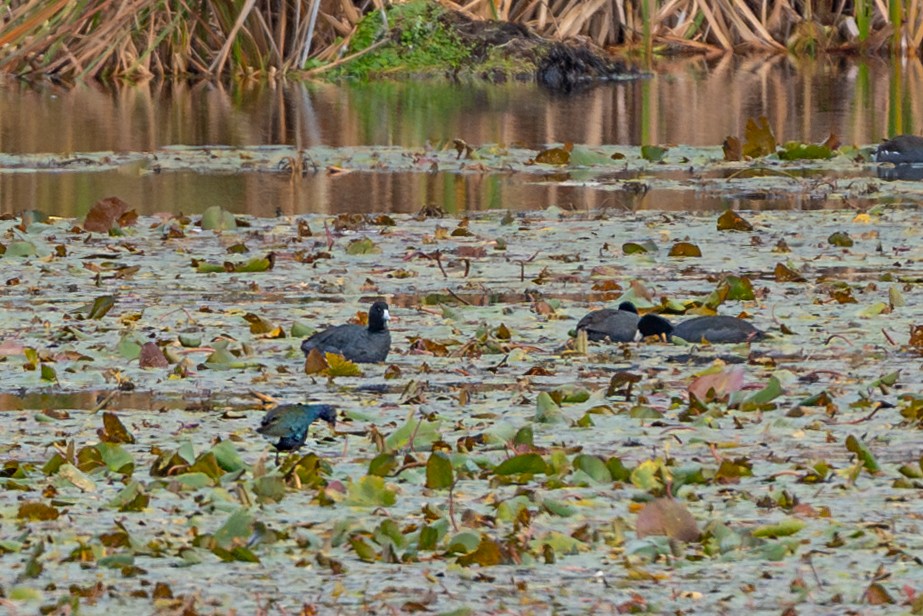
pixel 421 43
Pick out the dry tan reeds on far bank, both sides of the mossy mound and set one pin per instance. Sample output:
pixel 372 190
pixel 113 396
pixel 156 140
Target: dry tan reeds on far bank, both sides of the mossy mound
pixel 136 38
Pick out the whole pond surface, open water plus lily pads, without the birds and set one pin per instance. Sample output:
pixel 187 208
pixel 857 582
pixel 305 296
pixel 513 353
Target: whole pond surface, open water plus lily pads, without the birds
pixel 495 456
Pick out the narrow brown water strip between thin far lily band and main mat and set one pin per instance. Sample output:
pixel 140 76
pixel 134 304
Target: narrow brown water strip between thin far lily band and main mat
pixel 72 194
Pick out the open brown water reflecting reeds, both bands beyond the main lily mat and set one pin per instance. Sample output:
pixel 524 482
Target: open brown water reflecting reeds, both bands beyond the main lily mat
pixel 691 101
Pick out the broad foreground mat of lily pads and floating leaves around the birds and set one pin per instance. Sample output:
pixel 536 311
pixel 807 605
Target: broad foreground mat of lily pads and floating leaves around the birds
pixel 495 463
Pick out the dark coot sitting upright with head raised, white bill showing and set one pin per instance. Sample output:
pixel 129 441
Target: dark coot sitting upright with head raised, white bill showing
pixel 356 343
